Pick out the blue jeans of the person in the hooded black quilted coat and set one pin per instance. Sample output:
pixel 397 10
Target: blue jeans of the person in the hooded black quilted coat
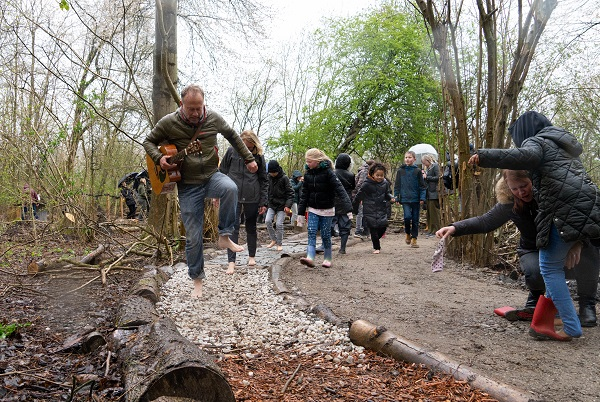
pixel 552 261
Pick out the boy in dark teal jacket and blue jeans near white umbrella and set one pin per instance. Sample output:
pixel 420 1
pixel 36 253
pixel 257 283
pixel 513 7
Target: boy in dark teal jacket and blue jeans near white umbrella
pixel 410 191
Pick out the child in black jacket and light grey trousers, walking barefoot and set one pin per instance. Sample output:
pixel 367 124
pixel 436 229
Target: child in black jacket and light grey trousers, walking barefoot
pixel 281 198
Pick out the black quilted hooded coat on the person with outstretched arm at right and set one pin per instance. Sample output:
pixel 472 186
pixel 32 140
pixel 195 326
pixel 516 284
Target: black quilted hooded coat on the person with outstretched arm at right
pixel 565 194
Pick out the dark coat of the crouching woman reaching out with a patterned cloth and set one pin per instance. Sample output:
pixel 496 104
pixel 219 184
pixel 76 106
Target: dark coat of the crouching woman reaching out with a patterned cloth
pixel 501 213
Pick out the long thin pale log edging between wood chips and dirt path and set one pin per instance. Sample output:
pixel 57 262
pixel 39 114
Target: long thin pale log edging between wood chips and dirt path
pixel 381 340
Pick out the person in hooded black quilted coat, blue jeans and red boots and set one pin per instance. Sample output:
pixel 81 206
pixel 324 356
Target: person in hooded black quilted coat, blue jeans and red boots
pixel 568 210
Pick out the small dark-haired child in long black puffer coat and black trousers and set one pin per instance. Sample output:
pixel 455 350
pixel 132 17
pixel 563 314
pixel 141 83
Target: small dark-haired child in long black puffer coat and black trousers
pixel 376 196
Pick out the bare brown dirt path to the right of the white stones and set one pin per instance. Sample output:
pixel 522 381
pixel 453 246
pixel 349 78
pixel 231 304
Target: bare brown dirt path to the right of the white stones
pixel 451 312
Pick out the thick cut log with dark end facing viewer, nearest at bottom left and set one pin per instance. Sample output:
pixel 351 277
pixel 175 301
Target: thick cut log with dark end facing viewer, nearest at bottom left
pixel 160 363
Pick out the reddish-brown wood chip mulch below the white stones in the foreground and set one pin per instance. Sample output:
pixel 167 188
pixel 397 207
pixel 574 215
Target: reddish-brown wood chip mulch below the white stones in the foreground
pixel 289 377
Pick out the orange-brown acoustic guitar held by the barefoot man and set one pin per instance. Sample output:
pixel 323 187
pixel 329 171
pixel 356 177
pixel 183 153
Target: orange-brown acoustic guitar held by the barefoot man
pixel 163 181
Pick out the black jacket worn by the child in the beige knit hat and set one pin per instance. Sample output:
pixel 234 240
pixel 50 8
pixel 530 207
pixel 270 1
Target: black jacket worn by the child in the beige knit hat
pixel 321 187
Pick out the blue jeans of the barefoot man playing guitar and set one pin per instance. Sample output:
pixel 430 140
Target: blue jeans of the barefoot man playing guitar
pixel 191 203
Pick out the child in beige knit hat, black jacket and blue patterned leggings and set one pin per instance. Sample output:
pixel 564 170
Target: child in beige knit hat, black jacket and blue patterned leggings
pixel 319 192
